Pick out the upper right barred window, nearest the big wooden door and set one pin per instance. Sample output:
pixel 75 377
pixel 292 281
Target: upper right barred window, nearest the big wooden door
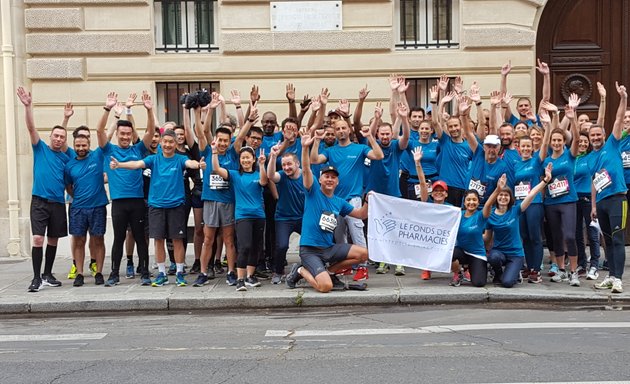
pixel 427 23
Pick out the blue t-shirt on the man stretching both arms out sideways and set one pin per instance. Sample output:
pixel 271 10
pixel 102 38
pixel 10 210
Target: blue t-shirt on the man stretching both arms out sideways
pixel 167 189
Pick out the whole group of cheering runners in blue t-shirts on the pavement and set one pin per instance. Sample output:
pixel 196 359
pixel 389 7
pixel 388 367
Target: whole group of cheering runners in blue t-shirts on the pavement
pixel 251 186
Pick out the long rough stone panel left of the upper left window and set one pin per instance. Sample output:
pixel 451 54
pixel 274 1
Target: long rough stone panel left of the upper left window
pixel 89 43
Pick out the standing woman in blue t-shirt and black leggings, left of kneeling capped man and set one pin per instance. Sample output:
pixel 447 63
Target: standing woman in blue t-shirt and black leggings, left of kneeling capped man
pixel 248 183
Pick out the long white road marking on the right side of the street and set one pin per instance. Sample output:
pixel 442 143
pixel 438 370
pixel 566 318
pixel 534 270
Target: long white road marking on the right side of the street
pixel 441 329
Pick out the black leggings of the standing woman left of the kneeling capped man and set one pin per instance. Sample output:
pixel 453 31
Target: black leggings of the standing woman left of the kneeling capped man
pixel 250 234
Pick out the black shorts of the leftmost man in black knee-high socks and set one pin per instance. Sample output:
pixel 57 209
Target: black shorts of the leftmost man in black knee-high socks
pixel 46 214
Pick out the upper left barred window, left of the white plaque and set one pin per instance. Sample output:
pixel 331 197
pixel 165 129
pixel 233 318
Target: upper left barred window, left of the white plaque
pixel 185 25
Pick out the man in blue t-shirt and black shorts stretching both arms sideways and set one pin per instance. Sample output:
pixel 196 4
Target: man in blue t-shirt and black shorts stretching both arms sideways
pixel 167 200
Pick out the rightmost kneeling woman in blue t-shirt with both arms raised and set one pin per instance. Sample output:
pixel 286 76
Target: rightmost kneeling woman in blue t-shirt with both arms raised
pixel 506 255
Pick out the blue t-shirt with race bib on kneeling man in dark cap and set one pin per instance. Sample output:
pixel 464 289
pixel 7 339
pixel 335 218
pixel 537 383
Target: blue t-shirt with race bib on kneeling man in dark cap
pixel 320 212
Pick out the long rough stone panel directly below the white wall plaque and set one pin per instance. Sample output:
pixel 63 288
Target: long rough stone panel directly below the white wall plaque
pixel 240 42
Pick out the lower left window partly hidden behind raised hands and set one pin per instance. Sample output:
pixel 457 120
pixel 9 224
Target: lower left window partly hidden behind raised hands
pixel 168 95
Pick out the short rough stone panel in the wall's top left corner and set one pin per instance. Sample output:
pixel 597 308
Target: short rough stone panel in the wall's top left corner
pixel 53 18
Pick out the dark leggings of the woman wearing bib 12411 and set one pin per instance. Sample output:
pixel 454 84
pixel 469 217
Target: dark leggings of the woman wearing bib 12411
pixel 561 219
